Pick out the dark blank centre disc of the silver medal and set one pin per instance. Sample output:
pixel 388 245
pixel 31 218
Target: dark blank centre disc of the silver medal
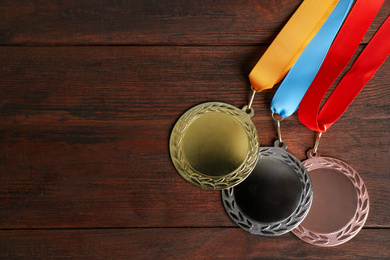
pixel 271 193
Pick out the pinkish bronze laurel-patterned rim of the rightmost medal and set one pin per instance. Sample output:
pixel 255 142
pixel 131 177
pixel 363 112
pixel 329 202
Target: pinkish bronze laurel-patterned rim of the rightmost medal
pixel 356 223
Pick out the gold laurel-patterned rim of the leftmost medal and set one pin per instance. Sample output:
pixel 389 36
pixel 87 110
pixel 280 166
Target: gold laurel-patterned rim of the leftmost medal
pixel 198 178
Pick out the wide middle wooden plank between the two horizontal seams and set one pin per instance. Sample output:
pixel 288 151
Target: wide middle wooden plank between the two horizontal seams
pixel 85 134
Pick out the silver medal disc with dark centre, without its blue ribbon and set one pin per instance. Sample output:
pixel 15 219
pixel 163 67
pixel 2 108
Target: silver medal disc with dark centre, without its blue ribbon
pixel 275 198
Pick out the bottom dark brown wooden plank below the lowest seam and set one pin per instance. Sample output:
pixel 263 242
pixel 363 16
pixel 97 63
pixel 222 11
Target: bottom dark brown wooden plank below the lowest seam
pixel 181 243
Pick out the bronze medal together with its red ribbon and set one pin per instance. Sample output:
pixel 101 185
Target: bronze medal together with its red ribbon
pixel 341 203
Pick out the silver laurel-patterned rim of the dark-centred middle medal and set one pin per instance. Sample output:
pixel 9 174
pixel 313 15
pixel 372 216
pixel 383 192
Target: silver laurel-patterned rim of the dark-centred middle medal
pixel 279 227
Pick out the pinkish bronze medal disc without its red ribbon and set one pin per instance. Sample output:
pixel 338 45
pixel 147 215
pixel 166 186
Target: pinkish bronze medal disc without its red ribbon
pixel 340 203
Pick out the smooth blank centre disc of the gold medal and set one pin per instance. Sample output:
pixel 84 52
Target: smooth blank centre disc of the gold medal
pixel 215 144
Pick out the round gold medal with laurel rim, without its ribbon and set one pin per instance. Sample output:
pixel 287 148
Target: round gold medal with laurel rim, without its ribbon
pixel 215 145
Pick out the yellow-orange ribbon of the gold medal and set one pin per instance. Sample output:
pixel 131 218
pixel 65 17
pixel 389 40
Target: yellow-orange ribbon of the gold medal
pixel 290 42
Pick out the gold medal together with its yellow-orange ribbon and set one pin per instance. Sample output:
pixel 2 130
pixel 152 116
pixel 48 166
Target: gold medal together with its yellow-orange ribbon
pixel 215 145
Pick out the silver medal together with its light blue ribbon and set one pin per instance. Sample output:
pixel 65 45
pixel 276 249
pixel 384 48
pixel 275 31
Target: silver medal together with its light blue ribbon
pixel 277 196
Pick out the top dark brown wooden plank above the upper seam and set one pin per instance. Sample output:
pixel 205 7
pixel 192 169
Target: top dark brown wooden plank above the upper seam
pixel 148 22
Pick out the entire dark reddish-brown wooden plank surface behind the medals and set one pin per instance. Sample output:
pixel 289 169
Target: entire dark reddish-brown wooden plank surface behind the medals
pixel 89 93
